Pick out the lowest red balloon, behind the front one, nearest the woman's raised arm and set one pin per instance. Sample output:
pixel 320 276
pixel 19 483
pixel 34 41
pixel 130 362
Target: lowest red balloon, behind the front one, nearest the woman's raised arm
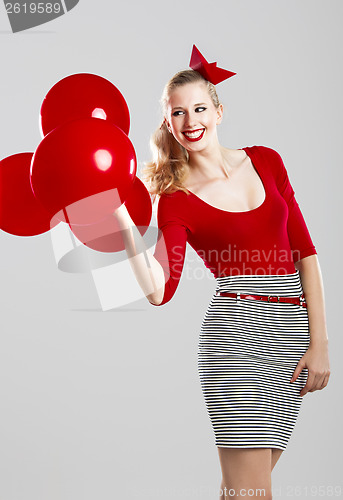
pixel 105 236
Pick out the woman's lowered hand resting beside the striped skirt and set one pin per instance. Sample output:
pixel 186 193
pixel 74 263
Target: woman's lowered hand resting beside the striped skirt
pixel 316 360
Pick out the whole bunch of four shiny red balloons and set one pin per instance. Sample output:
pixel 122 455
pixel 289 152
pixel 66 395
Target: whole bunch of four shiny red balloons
pixel 82 170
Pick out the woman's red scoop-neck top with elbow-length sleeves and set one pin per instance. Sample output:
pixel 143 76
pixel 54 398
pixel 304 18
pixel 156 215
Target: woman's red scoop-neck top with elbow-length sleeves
pixel 265 240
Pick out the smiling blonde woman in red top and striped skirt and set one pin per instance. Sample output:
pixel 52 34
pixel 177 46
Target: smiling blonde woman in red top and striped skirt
pixel 264 332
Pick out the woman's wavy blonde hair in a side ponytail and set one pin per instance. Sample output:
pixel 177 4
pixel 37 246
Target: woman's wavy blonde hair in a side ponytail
pixel 169 166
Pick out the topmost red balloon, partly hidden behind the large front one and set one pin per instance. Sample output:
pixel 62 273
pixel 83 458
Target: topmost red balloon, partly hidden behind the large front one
pixel 83 95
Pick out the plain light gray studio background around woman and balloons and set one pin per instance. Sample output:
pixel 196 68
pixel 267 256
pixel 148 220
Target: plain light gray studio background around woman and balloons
pixel 108 404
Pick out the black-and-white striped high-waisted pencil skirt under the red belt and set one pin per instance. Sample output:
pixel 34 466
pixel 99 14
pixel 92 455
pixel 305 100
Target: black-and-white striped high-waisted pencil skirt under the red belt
pixel 247 353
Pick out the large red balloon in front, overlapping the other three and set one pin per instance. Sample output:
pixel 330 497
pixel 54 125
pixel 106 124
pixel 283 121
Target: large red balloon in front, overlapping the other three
pixel 83 170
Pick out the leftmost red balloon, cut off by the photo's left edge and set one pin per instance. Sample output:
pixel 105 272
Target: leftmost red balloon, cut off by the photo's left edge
pixel 21 214
